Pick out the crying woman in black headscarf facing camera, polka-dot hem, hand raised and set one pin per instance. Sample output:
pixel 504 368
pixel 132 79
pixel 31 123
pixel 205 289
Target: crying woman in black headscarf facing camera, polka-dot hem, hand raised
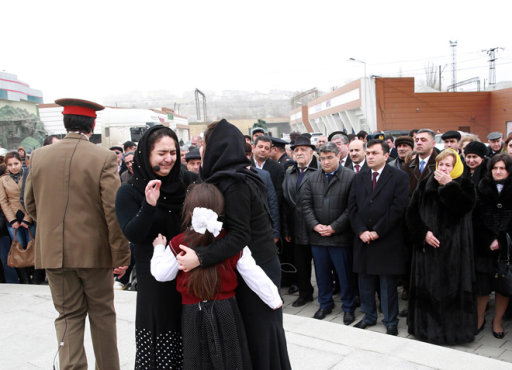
pixel 148 205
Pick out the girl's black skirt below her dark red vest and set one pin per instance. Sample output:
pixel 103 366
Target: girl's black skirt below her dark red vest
pixel 214 336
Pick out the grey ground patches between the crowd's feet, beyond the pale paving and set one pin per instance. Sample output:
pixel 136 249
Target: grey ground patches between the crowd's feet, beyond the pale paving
pixel 485 344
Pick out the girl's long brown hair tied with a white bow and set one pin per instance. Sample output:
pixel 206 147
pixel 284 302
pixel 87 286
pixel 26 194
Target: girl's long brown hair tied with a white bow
pixel 203 282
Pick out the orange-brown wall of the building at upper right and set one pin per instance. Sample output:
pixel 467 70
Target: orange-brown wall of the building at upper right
pixel 400 108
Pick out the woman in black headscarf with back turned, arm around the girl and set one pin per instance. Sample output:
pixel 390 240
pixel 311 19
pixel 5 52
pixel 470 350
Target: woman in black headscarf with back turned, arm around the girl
pixel 247 222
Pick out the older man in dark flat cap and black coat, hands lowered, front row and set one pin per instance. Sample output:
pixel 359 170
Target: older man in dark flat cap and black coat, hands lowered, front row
pixel 295 230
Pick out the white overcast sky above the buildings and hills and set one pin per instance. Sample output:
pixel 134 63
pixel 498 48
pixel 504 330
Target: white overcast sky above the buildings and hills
pixel 93 49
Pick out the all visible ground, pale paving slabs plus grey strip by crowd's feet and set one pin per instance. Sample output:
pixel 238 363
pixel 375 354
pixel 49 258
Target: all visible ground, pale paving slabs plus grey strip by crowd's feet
pixel 27 339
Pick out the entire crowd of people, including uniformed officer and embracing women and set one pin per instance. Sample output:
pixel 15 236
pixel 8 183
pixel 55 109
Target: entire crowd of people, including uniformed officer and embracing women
pixel 214 229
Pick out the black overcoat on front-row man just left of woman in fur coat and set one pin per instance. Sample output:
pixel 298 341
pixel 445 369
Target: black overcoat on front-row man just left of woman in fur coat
pixel 381 210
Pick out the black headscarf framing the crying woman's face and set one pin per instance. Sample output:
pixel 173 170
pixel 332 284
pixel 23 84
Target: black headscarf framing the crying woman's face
pixel 172 191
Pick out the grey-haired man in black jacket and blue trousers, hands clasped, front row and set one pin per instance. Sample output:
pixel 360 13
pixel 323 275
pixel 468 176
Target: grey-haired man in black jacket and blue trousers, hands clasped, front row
pixel 325 207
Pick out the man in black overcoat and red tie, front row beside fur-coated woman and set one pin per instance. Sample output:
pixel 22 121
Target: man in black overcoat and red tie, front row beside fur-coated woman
pixel 378 200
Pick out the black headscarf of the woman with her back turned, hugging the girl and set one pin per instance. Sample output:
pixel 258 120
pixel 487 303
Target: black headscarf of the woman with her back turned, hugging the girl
pixel 224 159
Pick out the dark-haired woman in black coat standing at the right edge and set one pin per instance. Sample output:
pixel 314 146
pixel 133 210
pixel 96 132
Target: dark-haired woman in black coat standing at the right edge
pixel 492 223
